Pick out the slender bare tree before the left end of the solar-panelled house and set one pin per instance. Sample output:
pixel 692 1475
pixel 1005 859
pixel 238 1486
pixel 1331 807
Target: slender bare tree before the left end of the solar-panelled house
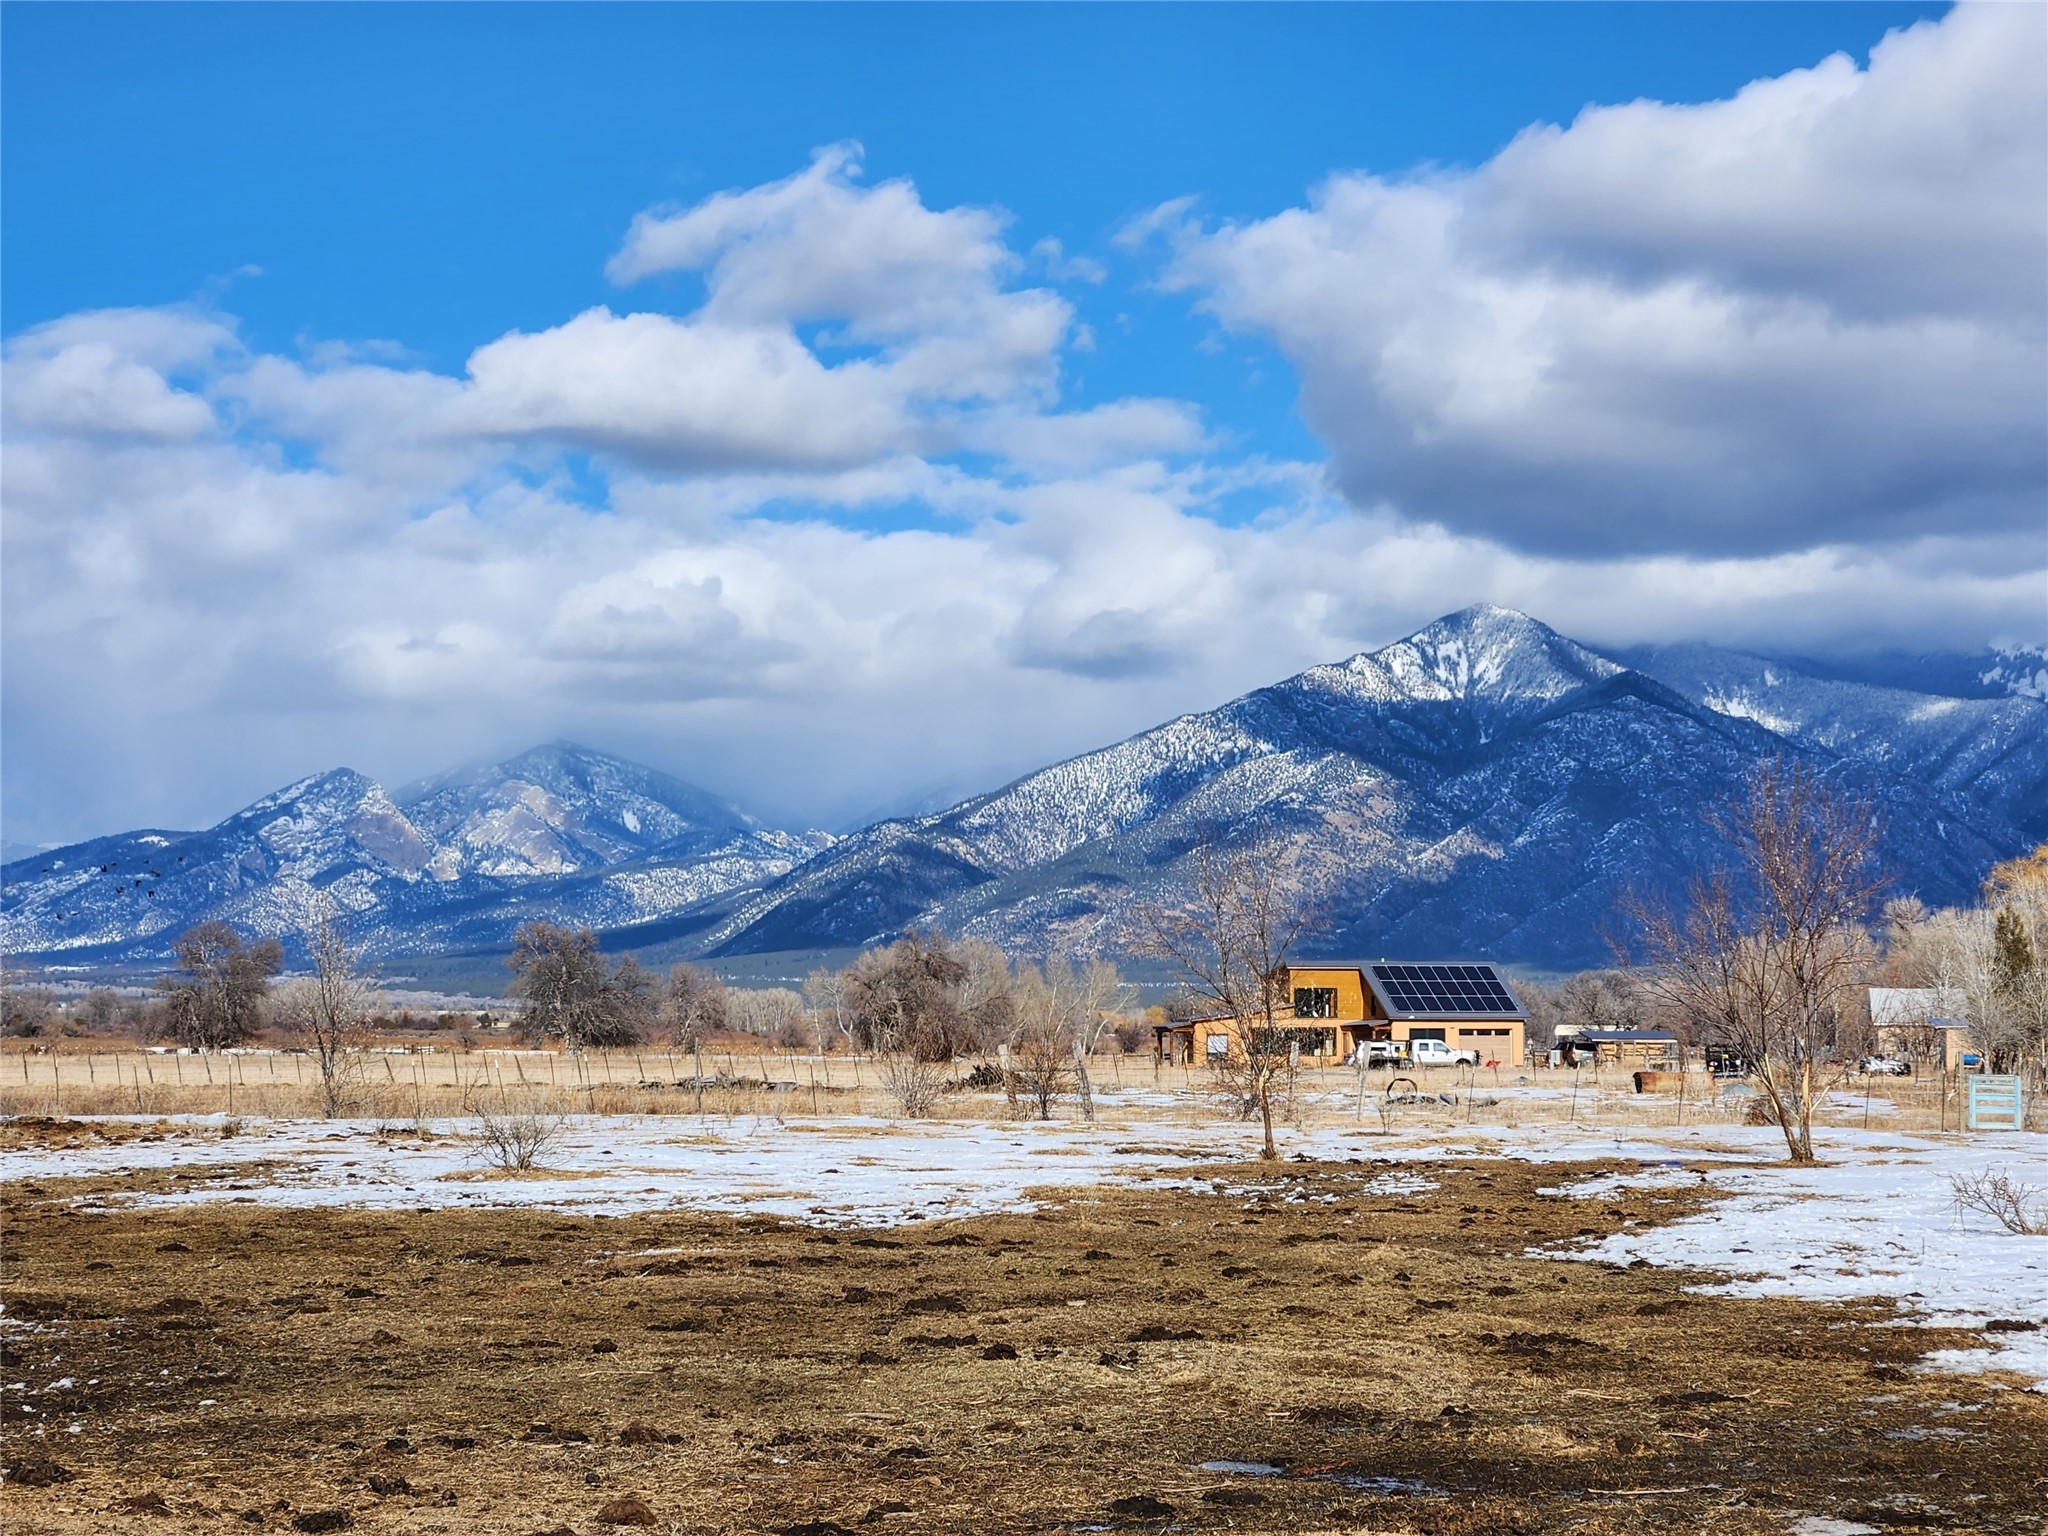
pixel 1232 937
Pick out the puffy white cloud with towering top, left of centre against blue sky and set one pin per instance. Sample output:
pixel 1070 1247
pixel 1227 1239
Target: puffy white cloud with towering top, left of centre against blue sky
pixel 841 327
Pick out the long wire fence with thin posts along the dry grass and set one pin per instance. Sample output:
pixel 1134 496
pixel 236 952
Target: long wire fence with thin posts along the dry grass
pixel 423 1084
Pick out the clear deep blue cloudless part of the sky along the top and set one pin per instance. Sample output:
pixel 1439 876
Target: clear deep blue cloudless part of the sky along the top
pixel 441 175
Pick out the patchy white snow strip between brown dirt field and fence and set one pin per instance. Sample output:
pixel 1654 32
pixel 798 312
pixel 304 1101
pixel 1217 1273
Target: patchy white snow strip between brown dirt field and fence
pixel 1877 1220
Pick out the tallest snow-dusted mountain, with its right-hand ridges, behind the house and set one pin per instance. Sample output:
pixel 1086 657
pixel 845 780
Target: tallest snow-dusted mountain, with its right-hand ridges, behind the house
pixel 1480 787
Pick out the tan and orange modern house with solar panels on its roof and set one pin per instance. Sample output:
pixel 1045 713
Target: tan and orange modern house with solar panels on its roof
pixel 1336 1007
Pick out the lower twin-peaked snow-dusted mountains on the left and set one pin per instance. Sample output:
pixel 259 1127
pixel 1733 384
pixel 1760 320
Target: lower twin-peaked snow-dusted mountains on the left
pixel 558 833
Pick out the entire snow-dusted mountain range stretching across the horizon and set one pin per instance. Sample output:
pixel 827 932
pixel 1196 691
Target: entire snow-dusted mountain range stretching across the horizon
pixel 1482 787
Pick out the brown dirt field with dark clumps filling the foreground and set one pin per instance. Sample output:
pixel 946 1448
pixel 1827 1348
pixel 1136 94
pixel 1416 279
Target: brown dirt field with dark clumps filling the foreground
pixel 1398 1359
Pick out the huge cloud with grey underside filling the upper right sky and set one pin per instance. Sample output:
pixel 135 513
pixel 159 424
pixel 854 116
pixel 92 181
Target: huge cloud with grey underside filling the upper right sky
pixel 1811 314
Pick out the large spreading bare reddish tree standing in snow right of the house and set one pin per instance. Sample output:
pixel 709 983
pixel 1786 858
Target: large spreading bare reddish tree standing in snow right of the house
pixel 1768 957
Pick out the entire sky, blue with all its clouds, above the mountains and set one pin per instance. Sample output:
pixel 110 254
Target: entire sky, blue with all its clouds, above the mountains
pixel 1205 298
